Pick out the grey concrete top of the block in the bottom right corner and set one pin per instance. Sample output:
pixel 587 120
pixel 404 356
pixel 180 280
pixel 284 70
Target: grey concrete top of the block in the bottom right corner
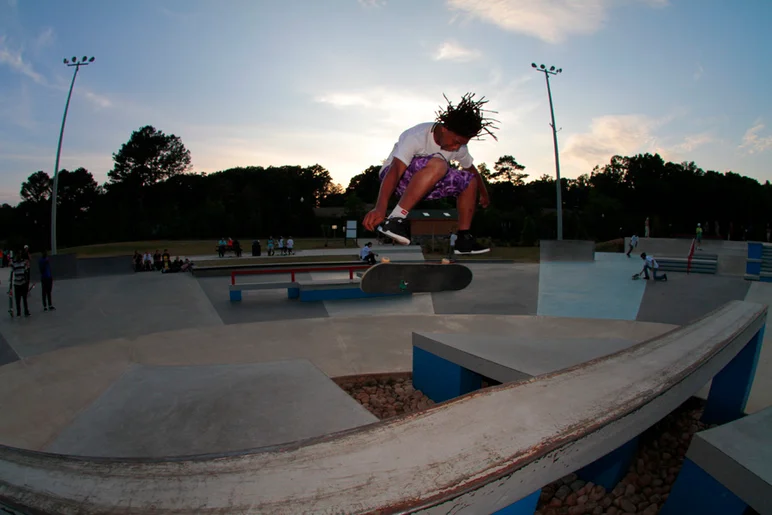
pixel 739 456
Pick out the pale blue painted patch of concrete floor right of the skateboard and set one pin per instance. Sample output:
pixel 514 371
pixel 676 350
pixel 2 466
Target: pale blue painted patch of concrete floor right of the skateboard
pixel 601 289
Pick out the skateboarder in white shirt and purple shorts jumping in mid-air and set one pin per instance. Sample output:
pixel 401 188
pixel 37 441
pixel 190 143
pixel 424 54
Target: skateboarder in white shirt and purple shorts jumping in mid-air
pixel 419 168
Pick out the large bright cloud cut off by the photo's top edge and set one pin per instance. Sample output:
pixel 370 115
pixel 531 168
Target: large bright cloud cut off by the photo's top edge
pixel 549 20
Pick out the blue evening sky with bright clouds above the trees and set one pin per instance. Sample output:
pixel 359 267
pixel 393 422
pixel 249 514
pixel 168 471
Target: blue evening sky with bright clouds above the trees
pixel 335 82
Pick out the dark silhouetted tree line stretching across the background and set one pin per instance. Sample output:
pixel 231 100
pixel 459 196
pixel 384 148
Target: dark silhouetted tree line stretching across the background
pixel 152 194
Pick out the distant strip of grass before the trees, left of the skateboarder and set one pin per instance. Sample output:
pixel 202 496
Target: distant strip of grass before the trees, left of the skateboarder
pixel 189 247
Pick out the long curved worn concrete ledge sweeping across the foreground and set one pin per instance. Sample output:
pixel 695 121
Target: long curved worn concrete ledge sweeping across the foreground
pixel 474 454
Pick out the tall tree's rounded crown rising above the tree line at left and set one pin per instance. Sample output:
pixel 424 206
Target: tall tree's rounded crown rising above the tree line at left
pixel 148 157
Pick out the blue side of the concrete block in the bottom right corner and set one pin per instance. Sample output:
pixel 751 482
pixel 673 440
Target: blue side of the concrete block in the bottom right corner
pixel 696 492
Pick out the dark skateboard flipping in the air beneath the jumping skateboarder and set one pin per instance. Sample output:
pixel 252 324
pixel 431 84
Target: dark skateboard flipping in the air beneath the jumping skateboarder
pixel 415 278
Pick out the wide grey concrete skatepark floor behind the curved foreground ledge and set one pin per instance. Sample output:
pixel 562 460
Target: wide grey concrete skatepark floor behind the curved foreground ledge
pixel 64 367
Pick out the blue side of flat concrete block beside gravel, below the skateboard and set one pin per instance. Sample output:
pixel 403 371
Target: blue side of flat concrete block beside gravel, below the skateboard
pixel 440 379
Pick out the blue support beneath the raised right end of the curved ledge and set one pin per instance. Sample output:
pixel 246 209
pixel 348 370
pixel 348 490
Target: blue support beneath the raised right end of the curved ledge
pixel 731 387
